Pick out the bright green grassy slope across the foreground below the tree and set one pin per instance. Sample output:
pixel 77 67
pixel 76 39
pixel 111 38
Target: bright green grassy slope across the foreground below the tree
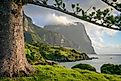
pixel 58 73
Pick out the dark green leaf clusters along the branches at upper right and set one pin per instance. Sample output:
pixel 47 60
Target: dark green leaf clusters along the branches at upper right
pixel 98 16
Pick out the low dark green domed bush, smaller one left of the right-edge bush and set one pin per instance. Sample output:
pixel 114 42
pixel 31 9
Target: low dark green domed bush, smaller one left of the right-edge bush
pixel 84 67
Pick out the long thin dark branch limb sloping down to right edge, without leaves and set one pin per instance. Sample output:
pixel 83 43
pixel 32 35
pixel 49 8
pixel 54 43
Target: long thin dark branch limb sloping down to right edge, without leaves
pixel 71 14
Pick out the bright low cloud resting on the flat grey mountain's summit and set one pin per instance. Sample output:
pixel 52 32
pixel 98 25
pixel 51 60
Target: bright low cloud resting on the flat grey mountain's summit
pixel 51 19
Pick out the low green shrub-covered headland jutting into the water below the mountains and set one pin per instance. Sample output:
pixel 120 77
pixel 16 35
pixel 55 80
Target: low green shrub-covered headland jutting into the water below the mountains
pixel 60 53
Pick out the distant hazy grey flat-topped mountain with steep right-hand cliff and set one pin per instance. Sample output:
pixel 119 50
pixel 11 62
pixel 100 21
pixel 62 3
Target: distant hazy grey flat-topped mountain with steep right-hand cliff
pixel 76 34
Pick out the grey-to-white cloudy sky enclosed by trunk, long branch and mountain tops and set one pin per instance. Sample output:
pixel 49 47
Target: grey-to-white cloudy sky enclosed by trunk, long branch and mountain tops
pixel 43 16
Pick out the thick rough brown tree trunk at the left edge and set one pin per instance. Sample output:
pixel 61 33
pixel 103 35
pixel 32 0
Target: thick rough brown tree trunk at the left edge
pixel 13 61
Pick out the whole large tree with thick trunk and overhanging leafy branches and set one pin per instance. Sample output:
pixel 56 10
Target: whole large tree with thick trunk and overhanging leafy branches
pixel 12 58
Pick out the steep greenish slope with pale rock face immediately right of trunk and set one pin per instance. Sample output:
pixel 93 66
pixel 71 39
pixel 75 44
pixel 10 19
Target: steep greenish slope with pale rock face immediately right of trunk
pixel 30 33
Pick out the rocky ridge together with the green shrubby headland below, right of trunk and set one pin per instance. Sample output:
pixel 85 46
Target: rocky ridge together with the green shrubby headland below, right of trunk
pixel 38 52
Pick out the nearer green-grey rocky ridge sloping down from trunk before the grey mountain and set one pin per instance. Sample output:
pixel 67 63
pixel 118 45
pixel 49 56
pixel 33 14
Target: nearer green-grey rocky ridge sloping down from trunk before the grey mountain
pixel 36 34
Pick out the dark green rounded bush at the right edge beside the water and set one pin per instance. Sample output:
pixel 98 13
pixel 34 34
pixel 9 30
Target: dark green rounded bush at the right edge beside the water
pixel 111 69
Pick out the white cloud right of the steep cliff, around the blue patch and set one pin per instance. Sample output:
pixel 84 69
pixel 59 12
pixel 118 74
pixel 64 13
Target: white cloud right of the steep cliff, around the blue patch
pixel 96 34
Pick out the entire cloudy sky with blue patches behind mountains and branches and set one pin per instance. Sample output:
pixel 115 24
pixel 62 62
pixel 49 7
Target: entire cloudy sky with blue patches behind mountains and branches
pixel 104 41
